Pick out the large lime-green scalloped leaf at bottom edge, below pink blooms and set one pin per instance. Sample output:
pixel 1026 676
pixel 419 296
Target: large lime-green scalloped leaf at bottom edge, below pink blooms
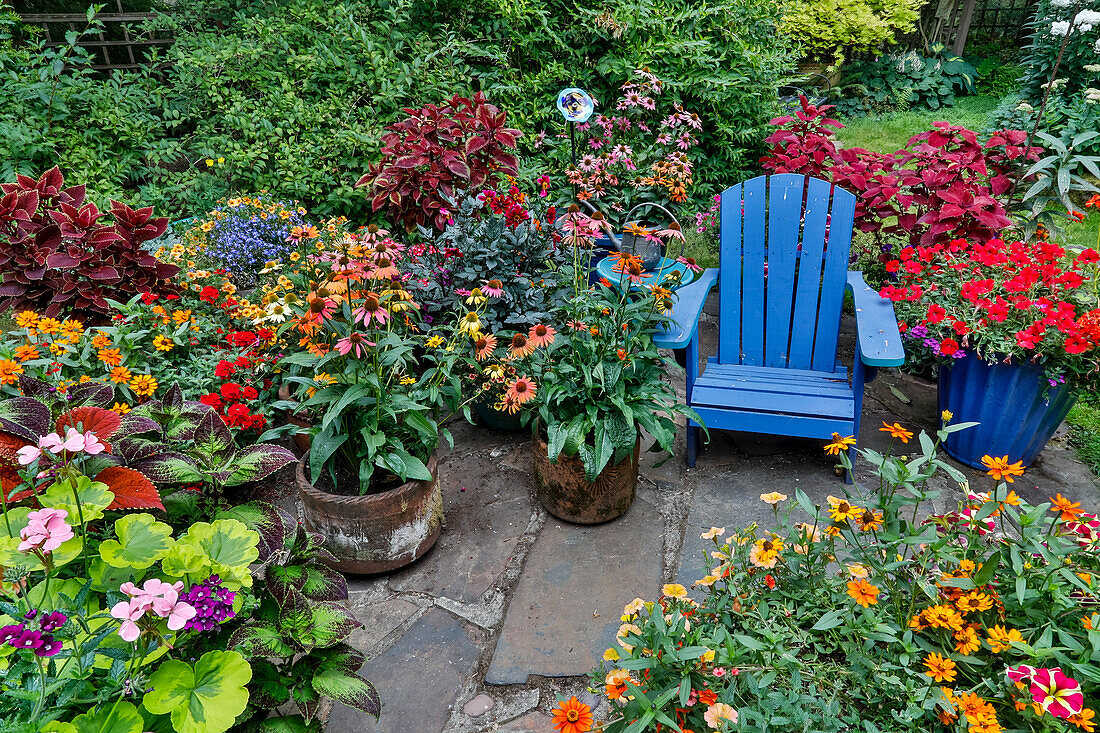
pixel 206 698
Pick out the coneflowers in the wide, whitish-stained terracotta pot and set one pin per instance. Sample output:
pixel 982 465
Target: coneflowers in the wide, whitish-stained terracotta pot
pixel 376 380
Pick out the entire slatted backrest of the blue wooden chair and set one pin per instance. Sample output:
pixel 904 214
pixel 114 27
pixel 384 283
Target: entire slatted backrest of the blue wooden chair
pixel 784 264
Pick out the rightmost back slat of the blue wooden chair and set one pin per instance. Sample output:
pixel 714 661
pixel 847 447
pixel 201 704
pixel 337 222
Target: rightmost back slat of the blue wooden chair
pixel 839 244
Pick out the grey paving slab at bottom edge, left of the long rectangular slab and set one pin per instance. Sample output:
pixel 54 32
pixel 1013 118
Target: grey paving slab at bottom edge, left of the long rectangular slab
pixel 419 679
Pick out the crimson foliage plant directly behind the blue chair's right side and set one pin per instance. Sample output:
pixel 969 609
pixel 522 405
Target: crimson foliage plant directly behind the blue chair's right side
pixel 944 185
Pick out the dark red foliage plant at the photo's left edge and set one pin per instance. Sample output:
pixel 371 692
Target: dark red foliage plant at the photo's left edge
pixel 60 256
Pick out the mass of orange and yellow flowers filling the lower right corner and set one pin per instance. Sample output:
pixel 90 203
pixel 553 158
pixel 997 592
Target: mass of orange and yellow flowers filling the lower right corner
pixel 862 615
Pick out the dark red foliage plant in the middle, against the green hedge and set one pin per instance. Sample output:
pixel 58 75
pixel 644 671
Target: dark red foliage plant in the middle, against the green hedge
pixel 435 155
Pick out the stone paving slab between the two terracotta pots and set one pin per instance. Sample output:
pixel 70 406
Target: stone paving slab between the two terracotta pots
pixel 487 510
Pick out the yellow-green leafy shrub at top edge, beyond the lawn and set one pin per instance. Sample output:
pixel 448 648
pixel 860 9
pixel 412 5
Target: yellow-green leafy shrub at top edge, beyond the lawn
pixel 832 30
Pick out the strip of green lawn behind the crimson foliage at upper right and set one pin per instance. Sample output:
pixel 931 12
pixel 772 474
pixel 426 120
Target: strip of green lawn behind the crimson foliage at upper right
pixel 885 134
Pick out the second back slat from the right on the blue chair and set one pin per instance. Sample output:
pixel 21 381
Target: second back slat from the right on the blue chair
pixel 808 291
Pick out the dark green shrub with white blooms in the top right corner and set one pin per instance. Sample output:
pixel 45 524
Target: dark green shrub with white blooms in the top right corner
pixel 1050 28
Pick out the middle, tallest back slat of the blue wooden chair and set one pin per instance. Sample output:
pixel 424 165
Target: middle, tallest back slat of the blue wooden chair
pixel 785 225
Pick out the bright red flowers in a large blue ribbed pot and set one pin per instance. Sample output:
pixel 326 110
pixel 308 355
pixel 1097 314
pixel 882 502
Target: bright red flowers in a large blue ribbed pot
pixel 1015 329
